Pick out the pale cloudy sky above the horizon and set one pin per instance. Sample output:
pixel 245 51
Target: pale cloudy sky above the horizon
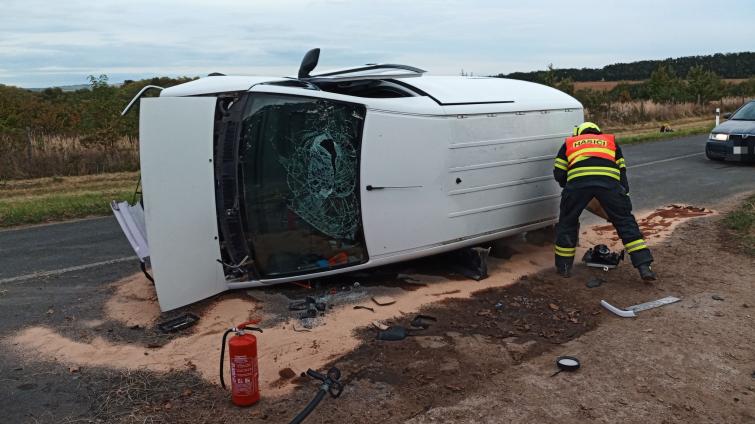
pixel 51 43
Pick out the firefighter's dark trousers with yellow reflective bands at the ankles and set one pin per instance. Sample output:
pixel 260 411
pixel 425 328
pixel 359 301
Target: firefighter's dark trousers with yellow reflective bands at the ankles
pixel 618 207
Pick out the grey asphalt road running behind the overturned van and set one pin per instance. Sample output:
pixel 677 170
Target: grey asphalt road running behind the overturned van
pixel 53 274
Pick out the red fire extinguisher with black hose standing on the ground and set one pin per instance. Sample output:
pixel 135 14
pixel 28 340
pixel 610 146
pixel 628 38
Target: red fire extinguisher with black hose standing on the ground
pixel 242 350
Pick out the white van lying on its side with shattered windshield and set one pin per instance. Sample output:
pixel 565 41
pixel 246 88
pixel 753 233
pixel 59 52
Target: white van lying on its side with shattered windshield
pixel 252 181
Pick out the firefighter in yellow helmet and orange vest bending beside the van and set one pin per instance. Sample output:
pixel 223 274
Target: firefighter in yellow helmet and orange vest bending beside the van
pixel 590 165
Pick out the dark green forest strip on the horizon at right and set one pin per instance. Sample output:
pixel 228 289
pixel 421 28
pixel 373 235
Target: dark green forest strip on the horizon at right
pixel 726 65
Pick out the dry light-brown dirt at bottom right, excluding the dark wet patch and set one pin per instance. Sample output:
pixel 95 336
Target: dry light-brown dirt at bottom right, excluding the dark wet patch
pixel 688 362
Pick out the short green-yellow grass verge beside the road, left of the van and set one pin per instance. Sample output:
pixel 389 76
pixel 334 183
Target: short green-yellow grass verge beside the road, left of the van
pixel 25 202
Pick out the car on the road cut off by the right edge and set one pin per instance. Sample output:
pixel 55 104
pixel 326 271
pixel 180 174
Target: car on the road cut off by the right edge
pixel 734 139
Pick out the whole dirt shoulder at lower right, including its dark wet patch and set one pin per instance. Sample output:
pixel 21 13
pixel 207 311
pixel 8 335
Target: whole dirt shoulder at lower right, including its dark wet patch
pixel 687 362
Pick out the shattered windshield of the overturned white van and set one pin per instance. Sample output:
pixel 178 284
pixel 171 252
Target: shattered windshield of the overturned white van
pixel 299 161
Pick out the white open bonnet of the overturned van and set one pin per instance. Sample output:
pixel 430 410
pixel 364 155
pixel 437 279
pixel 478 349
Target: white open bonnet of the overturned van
pixel 179 198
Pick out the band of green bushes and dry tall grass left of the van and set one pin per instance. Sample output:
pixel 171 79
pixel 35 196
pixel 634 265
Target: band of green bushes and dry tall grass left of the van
pixel 55 132
